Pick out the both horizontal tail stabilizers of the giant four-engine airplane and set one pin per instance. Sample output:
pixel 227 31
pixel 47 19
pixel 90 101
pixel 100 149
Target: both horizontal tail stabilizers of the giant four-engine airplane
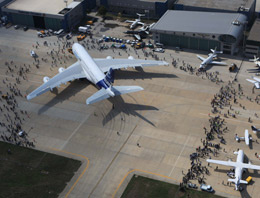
pixel 117 90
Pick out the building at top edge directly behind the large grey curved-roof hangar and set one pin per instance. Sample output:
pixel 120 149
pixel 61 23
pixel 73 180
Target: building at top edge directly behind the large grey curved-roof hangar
pixel 246 7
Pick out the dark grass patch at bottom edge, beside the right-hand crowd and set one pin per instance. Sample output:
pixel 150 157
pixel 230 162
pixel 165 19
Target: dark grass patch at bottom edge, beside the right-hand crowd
pixel 149 188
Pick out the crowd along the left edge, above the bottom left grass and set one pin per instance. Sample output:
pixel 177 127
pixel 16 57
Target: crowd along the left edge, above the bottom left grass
pixel 12 117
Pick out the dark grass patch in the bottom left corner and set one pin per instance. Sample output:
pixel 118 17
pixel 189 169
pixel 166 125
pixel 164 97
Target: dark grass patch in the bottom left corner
pixel 31 173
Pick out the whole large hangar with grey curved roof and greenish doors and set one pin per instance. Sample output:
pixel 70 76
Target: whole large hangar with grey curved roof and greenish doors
pixel 200 30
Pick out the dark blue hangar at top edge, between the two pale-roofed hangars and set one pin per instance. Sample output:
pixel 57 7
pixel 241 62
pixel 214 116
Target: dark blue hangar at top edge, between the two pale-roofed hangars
pixel 152 8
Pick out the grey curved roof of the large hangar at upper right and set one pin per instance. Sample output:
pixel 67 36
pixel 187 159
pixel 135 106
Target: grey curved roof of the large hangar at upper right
pixel 200 22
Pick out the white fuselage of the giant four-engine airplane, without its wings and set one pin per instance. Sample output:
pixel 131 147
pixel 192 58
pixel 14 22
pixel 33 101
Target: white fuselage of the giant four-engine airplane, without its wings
pixel 92 71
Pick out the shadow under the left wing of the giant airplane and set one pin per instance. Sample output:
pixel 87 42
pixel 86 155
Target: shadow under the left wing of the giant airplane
pixel 72 89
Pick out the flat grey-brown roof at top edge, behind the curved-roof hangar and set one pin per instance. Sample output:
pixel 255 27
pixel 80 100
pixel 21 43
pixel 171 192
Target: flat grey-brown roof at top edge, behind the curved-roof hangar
pixel 217 4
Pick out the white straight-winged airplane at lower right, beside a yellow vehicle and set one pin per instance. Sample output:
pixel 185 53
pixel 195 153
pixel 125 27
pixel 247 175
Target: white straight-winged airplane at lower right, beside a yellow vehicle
pixel 239 166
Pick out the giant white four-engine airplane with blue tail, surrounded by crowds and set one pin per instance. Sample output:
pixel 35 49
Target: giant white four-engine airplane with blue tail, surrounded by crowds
pixel 93 70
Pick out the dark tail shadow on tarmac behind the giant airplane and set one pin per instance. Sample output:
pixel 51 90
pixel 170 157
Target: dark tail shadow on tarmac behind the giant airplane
pixel 119 106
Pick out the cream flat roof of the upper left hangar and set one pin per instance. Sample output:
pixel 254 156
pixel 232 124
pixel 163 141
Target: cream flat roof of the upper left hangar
pixel 39 6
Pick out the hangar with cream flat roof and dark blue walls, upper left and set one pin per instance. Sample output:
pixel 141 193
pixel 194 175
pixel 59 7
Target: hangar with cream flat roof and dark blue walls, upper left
pixel 47 14
